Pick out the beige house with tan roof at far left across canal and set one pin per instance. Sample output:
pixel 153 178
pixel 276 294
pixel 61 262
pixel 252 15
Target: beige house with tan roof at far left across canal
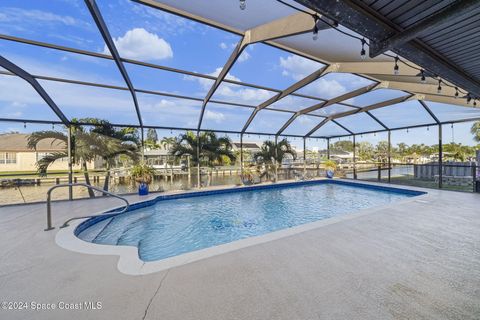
pixel 16 156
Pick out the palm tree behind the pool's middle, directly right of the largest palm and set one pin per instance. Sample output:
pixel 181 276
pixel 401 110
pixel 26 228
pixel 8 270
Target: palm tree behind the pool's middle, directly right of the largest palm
pixel 213 150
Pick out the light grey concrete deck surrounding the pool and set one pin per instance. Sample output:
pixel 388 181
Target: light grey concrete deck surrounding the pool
pixel 417 260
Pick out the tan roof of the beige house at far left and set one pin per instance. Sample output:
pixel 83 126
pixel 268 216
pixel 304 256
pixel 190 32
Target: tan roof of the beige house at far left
pixel 17 142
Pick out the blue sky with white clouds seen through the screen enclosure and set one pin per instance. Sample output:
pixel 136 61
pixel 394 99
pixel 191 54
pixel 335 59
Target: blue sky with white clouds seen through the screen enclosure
pixel 149 35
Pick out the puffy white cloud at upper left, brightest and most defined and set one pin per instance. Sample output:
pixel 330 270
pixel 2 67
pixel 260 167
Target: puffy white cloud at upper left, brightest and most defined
pixel 138 43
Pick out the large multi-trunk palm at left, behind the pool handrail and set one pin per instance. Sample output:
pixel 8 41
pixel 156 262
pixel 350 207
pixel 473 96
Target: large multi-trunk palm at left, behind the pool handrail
pixel 102 141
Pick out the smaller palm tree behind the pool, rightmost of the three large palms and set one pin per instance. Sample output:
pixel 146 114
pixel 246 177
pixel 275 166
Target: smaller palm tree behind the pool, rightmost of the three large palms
pixel 271 155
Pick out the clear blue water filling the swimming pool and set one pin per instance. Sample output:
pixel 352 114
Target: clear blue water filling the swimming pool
pixel 172 227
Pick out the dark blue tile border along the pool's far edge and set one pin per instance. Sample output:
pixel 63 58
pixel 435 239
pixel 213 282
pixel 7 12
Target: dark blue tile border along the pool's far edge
pixel 110 213
